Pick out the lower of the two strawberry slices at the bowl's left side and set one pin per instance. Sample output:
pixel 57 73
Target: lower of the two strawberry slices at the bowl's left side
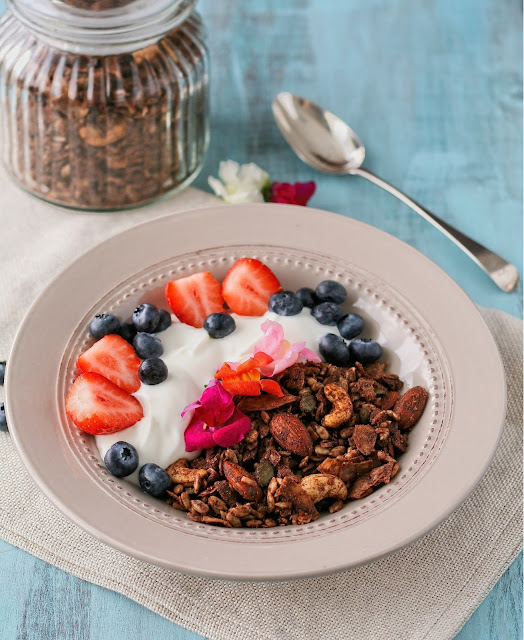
pixel 97 406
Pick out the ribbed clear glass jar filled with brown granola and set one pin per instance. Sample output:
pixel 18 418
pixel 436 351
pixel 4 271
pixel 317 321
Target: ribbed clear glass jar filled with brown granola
pixel 103 103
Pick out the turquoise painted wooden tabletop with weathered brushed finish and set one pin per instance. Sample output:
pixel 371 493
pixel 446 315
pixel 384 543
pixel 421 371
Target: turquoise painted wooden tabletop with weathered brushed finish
pixel 433 87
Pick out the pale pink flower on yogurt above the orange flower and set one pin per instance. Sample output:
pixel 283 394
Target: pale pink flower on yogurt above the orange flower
pixel 284 353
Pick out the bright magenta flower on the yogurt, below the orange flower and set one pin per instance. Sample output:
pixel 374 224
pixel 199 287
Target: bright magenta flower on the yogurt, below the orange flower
pixel 215 420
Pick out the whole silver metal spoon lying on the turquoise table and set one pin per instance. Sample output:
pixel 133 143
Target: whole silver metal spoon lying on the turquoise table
pixel 326 143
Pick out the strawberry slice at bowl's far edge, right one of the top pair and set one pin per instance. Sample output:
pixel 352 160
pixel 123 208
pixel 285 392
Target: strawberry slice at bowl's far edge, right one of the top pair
pixel 247 287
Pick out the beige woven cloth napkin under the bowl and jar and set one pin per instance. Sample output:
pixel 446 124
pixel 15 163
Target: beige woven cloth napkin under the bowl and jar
pixel 425 591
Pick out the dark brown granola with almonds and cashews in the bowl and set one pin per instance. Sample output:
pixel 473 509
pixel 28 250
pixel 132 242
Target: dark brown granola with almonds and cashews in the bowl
pixel 333 437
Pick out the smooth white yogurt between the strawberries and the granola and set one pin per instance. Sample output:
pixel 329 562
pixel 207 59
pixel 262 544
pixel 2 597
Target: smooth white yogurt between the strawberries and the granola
pixel 192 359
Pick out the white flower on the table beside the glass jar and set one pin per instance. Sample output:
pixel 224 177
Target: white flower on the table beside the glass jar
pixel 239 183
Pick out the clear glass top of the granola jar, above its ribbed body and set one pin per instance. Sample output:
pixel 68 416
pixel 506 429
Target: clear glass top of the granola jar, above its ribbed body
pixel 101 26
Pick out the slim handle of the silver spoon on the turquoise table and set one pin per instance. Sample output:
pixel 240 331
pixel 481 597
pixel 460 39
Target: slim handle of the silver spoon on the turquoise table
pixel 503 273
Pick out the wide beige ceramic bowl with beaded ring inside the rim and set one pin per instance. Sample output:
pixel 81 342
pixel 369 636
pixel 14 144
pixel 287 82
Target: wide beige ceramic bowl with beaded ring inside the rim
pixel 432 336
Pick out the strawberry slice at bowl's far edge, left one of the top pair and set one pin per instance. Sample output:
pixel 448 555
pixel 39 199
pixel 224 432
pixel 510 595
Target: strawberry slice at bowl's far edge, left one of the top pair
pixel 195 297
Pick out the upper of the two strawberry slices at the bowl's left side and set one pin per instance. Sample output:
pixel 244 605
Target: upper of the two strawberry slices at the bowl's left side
pixel 113 358
